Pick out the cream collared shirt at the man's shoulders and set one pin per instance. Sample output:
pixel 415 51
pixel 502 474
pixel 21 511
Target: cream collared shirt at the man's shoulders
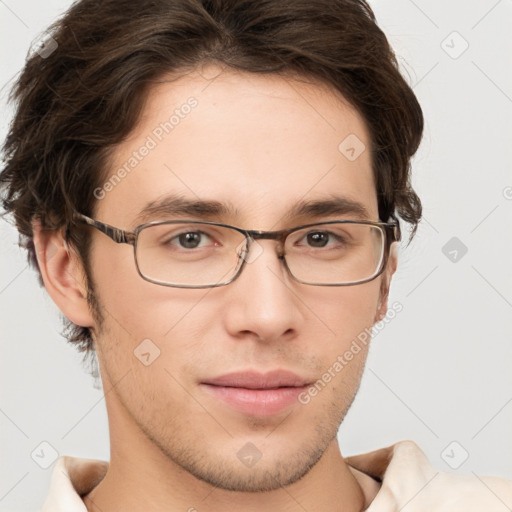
pixel 403 480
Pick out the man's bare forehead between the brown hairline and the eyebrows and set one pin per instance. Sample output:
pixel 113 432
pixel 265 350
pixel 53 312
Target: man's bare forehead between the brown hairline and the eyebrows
pixel 260 143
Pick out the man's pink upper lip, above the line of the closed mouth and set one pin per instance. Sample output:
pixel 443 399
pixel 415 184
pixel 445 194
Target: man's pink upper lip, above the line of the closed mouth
pixel 255 380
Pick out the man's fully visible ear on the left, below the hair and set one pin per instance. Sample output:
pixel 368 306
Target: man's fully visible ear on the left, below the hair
pixel 63 275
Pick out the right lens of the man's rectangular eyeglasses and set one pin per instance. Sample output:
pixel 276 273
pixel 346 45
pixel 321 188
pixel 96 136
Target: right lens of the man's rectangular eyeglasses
pixel 341 253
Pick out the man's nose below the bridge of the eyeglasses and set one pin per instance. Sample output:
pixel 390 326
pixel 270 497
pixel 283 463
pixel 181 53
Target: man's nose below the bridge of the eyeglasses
pixel 263 301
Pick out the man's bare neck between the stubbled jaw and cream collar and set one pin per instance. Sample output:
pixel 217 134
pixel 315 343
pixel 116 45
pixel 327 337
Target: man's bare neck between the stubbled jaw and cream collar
pixel 141 477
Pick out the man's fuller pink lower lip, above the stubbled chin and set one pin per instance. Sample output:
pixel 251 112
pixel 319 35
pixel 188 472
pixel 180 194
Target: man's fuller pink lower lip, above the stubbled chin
pixel 257 402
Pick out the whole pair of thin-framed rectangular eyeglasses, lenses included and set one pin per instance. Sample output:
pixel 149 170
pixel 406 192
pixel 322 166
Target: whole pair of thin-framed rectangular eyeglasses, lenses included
pixel 200 254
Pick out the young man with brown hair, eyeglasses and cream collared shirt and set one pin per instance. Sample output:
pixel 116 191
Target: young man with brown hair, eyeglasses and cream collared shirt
pixel 211 193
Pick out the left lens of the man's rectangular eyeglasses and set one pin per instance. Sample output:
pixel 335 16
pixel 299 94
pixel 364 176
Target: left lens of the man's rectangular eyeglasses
pixel 189 254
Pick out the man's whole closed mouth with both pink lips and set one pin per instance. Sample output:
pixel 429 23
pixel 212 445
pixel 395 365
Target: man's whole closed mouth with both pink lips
pixel 257 394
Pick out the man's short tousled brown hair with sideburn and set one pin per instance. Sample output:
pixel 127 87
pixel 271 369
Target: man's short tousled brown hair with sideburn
pixel 81 100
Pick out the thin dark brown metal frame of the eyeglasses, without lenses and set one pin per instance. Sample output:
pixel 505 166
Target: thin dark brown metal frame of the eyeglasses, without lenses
pixel 391 232
